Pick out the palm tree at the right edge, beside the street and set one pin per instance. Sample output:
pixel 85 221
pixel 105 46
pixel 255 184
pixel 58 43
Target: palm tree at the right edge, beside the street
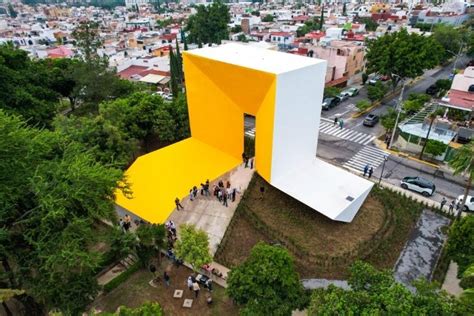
pixel 463 162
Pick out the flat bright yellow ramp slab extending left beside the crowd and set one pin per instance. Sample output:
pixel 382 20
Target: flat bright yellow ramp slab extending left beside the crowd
pixel 157 178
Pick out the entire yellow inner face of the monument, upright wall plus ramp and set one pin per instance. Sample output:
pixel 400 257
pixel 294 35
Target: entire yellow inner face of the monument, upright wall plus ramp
pixel 218 95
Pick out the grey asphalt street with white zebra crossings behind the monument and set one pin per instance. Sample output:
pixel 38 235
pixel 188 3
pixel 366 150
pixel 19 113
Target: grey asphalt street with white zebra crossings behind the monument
pixel 352 146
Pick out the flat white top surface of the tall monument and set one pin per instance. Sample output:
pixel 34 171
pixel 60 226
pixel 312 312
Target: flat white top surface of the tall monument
pixel 255 58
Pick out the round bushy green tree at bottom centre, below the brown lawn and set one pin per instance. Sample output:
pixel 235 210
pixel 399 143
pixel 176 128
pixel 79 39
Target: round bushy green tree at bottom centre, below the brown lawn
pixel 266 282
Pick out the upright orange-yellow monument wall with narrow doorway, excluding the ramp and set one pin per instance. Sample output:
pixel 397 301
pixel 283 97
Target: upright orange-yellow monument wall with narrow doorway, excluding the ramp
pixel 218 96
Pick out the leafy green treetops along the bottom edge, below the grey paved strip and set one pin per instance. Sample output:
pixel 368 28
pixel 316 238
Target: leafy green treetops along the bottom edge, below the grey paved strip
pixel 376 293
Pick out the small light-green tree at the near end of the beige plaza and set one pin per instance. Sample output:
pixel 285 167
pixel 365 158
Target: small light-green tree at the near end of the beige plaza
pixel 193 246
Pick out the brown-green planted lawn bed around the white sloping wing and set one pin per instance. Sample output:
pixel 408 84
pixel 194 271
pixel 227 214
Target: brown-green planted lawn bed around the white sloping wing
pixel 322 248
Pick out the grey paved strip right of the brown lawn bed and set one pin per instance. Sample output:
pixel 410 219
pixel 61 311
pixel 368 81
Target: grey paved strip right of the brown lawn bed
pixel 422 250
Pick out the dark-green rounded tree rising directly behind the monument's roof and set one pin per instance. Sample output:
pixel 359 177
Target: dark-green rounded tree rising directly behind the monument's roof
pixel 209 24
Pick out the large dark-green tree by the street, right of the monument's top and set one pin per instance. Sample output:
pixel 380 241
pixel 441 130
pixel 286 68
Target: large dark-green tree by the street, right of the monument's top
pixel 400 55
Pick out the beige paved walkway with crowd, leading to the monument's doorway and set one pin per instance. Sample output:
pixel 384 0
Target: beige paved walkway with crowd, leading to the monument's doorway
pixel 210 215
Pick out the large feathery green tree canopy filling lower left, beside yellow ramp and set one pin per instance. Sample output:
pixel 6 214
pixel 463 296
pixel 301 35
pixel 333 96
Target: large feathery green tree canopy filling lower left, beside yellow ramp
pixel 52 193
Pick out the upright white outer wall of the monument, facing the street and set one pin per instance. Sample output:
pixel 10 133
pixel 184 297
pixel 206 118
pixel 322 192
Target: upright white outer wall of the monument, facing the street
pixel 297 114
